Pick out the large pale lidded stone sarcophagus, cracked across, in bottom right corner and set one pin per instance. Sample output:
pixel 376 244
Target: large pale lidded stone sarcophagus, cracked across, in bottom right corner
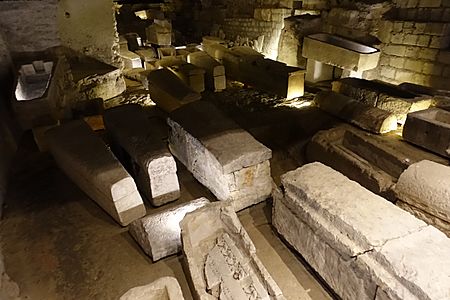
pixel 363 246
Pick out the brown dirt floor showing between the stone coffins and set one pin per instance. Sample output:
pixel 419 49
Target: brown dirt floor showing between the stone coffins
pixel 58 244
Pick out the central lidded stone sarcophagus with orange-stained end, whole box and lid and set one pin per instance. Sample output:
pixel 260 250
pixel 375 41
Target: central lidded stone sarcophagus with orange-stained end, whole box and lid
pixel 221 155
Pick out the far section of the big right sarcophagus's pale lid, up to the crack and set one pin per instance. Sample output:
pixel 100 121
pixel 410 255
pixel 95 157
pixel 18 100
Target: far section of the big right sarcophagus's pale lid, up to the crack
pixel 366 218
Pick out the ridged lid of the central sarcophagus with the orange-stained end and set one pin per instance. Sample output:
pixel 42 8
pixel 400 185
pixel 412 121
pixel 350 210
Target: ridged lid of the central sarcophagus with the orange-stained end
pixel 232 146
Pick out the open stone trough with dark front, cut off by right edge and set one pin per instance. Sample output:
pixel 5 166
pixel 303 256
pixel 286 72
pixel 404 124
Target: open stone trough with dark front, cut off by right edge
pixel 429 129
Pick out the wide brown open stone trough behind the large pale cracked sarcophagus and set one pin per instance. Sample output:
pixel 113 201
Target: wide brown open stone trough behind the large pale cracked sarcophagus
pixel 374 161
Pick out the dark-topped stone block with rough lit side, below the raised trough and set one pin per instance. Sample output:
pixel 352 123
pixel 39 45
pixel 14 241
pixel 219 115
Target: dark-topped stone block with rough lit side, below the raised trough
pixel 382 95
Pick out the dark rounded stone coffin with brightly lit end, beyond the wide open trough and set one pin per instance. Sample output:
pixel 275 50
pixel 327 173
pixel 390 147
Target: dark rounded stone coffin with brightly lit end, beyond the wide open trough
pixel 362 115
